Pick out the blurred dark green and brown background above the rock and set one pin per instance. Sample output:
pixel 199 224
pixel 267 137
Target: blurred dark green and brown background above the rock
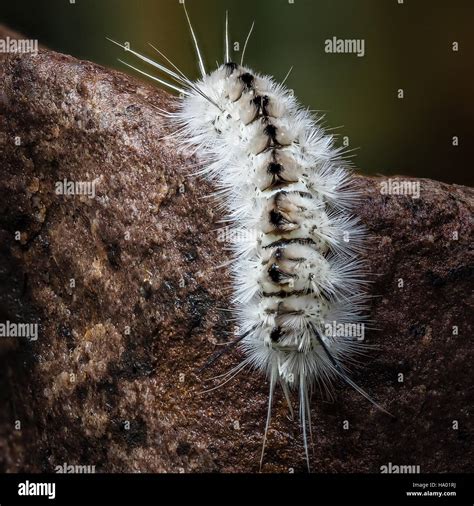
pixel 407 45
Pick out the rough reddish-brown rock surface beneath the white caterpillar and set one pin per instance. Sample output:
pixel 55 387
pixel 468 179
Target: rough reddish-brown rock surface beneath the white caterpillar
pixel 130 302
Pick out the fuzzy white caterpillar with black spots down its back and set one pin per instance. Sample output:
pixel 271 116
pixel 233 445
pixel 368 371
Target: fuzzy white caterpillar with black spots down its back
pixel 287 194
